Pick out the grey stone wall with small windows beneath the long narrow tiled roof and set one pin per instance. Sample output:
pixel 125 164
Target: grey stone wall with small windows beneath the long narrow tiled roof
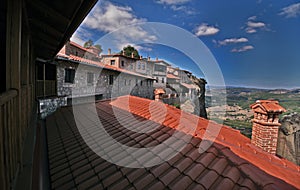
pixel 122 84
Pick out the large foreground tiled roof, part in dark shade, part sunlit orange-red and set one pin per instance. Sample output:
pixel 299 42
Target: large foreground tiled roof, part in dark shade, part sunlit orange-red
pixel 230 163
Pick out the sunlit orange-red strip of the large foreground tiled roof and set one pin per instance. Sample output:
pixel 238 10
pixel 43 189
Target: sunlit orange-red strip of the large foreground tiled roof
pixel 231 138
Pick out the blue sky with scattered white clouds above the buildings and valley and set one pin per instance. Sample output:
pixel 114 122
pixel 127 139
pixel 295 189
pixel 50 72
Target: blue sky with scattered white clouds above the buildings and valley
pixel 256 43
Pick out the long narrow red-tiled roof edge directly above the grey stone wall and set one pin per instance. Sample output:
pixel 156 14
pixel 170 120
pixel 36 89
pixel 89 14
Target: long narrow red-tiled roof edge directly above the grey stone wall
pixel 82 60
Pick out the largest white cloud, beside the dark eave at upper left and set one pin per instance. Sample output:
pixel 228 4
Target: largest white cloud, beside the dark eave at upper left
pixel 107 17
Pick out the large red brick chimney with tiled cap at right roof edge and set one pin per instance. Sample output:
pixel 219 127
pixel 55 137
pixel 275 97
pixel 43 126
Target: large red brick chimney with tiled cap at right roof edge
pixel 266 124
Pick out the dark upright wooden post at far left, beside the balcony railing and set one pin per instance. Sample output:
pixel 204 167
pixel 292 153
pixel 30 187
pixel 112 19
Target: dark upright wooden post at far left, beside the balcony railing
pixel 13 78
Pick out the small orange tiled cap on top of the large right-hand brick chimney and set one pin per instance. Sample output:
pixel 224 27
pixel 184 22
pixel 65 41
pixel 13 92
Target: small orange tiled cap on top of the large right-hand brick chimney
pixel 267 106
